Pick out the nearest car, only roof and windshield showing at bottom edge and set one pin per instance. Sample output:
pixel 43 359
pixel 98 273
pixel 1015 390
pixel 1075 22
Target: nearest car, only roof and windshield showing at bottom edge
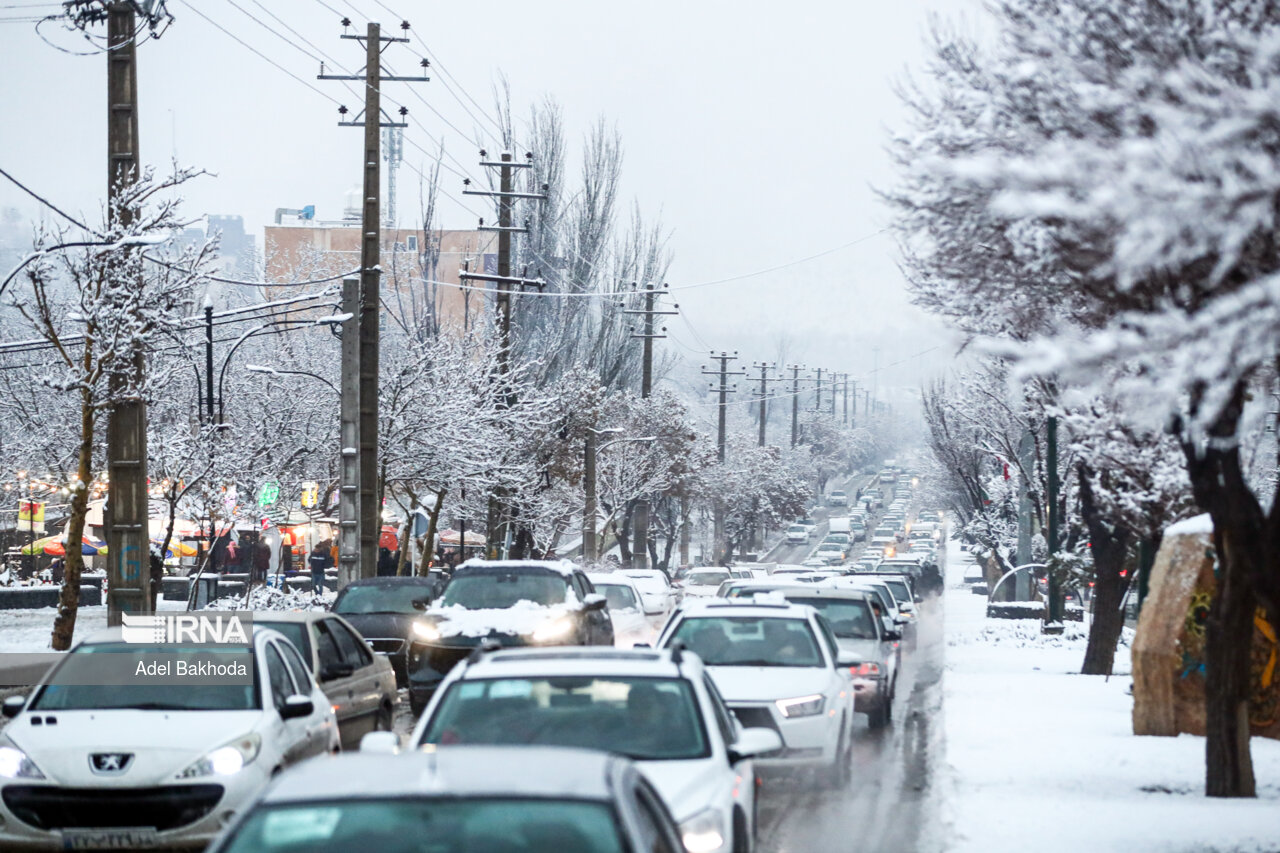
pixel 479 800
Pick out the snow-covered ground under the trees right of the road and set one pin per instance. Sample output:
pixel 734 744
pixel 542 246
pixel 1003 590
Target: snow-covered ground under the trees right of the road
pixel 1044 759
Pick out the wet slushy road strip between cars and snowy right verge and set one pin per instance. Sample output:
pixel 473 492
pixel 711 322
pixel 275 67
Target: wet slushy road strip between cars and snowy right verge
pixel 892 805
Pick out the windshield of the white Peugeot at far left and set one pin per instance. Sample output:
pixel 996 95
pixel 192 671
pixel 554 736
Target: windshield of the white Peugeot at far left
pixel 63 695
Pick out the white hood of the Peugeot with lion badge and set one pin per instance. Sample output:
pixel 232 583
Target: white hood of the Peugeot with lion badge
pixel 163 742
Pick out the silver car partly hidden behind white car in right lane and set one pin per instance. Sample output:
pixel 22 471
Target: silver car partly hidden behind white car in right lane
pixel 860 633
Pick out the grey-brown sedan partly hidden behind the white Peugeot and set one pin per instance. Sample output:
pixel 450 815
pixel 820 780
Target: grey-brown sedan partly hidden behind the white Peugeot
pixel 359 685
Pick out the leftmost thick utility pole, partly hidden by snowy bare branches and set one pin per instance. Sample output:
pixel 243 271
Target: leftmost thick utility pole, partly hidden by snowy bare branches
pixel 129 565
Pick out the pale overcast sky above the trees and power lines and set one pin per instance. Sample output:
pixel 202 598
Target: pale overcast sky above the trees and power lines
pixel 756 130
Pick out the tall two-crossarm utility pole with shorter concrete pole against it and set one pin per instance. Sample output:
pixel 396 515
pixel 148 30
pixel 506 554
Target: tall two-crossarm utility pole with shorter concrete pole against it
pixel 359 513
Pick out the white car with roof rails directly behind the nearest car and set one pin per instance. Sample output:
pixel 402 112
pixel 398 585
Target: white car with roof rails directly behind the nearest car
pixel 659 709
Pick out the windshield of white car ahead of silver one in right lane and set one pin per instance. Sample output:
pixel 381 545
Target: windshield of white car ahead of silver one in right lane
pixel 751 641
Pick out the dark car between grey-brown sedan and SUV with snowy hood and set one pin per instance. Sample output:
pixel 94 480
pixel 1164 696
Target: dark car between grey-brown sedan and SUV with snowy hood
pixel 385 612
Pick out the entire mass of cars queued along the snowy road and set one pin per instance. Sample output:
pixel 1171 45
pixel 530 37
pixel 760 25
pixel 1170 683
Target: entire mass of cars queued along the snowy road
pixel 525 708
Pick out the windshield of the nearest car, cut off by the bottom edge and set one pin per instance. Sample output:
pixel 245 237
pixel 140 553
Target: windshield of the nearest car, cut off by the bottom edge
pixel 431 825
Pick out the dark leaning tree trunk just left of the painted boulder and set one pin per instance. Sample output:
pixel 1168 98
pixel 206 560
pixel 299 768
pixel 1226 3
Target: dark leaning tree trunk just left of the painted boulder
pixel 1110 558
